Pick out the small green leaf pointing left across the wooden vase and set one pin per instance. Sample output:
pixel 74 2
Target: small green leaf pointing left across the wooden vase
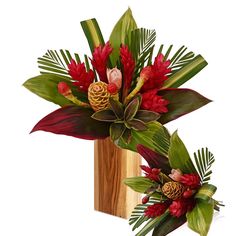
pixel 139 184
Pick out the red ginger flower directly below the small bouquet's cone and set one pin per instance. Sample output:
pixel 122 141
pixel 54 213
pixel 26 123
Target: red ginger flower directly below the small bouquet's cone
pixel 181 206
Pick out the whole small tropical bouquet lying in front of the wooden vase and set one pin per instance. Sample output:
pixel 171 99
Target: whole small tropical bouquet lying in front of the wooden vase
pixel 175 190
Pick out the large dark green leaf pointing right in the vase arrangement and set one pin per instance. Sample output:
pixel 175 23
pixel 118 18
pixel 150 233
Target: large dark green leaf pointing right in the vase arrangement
pixel 181 102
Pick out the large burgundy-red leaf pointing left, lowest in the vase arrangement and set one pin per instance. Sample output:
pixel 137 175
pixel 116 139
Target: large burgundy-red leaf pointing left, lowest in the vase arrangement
pixel 73 121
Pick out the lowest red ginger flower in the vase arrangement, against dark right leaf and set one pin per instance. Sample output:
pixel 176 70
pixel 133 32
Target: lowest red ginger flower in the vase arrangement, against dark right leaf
pixel 151 101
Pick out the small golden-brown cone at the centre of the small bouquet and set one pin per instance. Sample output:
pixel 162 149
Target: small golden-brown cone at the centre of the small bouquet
pixel 173 190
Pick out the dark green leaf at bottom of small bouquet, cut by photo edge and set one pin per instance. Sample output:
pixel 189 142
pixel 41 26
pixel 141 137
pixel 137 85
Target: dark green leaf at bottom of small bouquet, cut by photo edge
pixel 167 224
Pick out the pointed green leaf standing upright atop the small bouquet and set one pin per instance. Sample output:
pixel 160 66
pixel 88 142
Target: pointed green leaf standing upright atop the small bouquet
pixel 178 155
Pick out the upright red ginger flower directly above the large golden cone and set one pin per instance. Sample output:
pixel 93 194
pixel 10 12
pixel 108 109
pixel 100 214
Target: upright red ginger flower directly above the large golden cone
pixel 100 58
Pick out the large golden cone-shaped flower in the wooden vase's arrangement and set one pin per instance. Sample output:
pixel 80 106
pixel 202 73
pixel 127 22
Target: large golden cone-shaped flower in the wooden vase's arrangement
pixel 98 96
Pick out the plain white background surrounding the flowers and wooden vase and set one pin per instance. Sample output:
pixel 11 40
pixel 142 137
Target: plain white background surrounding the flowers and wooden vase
pixel 46 181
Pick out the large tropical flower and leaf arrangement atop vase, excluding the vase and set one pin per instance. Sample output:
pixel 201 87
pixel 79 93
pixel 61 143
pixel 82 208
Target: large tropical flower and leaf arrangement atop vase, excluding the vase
pixel 121 91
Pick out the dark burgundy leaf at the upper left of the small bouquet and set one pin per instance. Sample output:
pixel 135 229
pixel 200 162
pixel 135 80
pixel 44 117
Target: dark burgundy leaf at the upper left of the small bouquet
pixel 154 159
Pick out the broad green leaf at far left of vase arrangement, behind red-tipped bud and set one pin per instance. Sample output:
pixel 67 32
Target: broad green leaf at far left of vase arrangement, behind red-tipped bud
pixel 45 86
